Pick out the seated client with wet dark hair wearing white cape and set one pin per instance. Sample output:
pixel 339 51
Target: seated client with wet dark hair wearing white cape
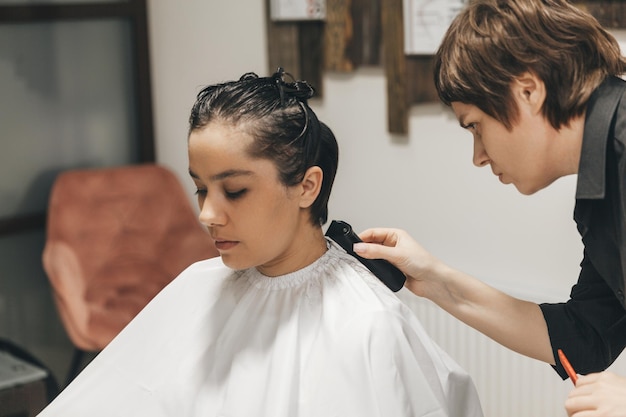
pixel 284 322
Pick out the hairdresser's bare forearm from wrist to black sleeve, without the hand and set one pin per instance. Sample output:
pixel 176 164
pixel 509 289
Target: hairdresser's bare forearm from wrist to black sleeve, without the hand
pixel 516 324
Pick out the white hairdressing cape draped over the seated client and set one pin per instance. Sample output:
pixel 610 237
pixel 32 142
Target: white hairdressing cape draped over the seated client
pixel 327 340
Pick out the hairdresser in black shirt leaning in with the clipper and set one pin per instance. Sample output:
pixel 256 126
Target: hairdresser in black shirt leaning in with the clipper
pixel 536 83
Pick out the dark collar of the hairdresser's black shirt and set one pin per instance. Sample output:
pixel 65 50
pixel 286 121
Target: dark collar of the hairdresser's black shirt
pixel 600 110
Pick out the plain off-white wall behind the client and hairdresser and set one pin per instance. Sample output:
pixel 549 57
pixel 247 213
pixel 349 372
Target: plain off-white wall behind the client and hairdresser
pixel 423 182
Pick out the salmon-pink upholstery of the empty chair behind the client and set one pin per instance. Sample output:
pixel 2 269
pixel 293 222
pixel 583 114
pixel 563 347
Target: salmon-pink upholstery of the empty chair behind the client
pixel 115 238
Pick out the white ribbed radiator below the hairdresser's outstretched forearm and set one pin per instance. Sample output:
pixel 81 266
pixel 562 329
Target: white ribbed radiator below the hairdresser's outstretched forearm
pixel 509 384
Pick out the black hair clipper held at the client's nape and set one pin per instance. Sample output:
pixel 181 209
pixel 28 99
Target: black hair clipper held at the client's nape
pixel 342 233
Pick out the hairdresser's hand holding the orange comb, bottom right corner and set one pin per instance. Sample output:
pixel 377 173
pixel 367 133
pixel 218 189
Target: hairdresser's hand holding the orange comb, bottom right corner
pixel 598 395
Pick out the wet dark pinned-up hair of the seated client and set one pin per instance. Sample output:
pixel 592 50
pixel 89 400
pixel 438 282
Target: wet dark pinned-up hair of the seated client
pixel 274 111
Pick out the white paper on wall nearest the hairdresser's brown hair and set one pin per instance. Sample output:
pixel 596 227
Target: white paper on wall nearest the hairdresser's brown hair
pixel 425 23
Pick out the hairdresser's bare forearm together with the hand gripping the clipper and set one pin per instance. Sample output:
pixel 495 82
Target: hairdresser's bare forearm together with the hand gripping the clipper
pixel 517 324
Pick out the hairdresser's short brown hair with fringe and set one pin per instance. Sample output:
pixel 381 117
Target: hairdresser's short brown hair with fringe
pixel 492 41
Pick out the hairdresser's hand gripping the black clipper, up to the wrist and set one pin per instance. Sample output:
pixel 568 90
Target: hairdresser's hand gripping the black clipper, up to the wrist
pixel 399 248
